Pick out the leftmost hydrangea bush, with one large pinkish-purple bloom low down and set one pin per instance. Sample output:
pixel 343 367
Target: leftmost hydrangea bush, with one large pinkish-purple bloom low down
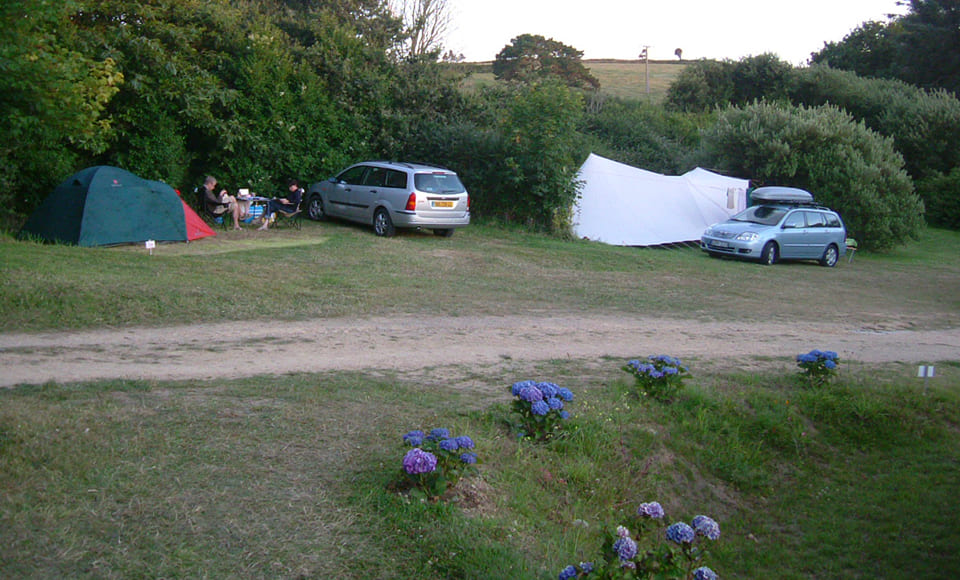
pixel 437 461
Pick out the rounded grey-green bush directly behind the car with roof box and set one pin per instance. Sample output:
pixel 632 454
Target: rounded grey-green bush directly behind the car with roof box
pixel 845 165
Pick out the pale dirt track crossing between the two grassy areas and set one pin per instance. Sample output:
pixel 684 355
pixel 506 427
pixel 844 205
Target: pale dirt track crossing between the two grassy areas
pixel 401 343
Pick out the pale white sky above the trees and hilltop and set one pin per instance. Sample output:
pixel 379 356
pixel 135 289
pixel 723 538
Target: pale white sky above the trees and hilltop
pixel 619 29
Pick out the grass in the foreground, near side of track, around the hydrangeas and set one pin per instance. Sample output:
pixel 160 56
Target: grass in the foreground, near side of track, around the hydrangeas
pixel 290 477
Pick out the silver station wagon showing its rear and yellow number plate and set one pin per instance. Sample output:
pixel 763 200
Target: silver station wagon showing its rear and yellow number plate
pixel 390 195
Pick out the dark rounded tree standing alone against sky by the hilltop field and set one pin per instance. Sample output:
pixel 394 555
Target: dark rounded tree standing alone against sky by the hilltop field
pixel 531 57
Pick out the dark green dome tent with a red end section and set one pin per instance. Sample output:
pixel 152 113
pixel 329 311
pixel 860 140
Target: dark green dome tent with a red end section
pixel 102 206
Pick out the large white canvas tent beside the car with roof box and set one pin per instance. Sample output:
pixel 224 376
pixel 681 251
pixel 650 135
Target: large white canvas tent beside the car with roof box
pixel 626 206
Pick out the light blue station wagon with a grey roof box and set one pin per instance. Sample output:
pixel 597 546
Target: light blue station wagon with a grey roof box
pixel 785 225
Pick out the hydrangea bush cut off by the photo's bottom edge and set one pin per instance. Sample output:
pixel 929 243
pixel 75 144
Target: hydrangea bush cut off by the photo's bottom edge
pixel 675 552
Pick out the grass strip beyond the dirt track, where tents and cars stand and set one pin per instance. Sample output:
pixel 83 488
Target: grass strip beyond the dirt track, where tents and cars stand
pixel 334 270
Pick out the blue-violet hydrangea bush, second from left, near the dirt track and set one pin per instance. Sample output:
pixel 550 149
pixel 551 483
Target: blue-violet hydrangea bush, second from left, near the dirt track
pixel 541 408
